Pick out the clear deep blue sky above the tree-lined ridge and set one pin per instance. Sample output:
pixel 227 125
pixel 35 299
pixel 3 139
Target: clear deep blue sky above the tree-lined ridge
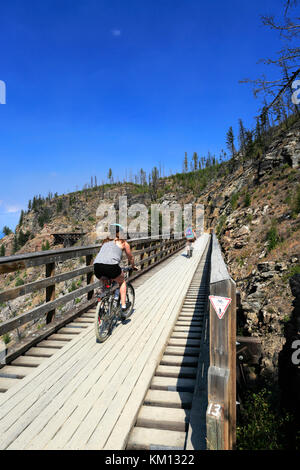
pixel 94 84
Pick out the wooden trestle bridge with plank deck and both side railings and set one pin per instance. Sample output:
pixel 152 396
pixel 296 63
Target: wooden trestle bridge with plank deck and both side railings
pixel 165 379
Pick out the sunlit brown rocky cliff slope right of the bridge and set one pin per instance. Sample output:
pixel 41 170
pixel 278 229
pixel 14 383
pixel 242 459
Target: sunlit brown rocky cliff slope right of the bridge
pixel 254 213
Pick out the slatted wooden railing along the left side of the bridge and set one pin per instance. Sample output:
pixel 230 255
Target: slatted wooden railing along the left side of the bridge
pixel 147 253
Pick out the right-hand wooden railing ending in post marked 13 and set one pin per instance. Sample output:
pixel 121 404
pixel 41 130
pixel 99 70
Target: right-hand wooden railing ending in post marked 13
pixel 221 410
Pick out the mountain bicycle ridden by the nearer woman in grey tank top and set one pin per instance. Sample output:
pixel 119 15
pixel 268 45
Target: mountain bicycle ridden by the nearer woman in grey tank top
pixel 109 311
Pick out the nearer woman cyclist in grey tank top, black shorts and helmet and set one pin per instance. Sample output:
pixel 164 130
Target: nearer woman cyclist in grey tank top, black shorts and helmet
pixel 107 261
